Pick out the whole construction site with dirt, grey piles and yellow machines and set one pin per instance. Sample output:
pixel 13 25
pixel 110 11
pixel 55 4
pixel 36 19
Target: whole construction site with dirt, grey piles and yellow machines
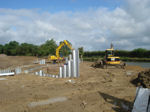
pixel 32 84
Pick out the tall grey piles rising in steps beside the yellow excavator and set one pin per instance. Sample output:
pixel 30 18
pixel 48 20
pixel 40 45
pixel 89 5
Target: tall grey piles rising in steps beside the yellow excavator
pixel 71 68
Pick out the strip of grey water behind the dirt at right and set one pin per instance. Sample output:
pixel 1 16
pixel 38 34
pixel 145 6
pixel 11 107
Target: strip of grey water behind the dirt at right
pixel 142 64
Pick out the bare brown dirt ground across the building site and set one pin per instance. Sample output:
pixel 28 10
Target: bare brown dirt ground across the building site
pixel 96 90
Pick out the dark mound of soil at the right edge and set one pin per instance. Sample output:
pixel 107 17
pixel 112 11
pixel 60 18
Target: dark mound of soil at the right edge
pixel 143 79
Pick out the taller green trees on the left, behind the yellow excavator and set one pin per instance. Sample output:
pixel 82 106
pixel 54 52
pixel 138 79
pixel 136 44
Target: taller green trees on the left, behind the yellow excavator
pixel 14 48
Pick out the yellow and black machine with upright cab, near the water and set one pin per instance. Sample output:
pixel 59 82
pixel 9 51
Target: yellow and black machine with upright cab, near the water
pixel 109 60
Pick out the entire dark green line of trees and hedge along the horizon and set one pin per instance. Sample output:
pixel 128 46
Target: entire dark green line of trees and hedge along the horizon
pixel 14 48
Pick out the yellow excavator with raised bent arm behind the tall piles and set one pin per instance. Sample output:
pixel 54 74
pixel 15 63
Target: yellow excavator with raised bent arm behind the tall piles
pixel 57 58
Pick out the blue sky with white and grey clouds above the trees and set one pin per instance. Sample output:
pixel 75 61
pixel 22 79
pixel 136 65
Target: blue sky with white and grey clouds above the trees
pixel 91 24
